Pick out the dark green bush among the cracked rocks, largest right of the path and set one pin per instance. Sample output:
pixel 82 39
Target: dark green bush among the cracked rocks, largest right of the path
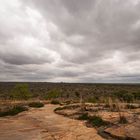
pixel 97 121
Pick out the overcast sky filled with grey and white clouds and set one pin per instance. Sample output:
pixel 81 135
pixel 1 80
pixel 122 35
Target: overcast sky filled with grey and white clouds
pixel 70 41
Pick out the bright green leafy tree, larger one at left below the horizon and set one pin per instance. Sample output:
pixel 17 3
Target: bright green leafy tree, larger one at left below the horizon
pixel 21 91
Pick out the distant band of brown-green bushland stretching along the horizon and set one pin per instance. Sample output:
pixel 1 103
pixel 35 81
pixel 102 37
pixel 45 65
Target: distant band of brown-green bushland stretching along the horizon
pixel 88 92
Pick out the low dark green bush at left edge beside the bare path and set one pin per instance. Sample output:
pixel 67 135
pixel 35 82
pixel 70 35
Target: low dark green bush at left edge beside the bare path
pixel 13 111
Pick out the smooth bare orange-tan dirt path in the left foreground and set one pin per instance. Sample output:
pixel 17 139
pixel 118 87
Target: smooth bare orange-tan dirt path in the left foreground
pixel 44 124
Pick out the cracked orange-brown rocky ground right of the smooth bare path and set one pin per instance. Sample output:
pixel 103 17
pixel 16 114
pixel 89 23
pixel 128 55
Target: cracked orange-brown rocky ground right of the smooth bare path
pixel 113 131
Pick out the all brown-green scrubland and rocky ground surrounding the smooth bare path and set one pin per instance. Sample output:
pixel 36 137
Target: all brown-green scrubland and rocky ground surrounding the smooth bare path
pixel 113 110
